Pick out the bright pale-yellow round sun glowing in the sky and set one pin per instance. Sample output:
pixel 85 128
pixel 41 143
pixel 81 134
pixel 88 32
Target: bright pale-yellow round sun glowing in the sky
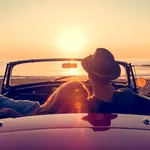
pixel 71 40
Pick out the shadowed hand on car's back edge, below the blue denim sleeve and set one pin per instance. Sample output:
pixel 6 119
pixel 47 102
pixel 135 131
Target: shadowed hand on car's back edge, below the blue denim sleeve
pixel 9 113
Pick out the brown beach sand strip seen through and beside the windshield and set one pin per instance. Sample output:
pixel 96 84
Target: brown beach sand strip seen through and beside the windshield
pixel 145 90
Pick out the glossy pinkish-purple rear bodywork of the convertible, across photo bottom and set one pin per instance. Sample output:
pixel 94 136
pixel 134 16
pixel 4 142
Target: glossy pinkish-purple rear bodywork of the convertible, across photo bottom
pixel 76 132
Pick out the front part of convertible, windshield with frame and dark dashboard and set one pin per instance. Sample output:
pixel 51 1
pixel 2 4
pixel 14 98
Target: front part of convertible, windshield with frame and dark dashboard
pixel 36 79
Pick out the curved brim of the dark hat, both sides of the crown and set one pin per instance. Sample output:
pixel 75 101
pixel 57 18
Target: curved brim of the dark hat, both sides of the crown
pixel 116 68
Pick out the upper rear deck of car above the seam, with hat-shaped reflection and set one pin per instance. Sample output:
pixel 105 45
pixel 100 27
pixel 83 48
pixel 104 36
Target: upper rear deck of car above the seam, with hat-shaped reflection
pixel 74 120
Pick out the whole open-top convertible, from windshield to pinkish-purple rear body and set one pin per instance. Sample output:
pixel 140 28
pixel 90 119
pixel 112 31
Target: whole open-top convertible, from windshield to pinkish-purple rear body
pixel 37 79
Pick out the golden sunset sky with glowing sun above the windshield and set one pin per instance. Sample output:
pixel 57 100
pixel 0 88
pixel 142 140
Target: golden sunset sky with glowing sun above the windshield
pixel 74 28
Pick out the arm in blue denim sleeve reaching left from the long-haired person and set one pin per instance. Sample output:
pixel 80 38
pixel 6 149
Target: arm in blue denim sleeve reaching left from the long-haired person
pixel 24 107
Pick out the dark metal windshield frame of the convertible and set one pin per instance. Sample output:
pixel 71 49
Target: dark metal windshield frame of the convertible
pixel 8 72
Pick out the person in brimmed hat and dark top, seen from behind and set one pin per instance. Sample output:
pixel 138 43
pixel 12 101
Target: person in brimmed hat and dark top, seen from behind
pixel 102 68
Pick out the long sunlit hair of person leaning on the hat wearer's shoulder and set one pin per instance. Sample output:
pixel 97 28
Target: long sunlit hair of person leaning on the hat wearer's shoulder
pixel 70 97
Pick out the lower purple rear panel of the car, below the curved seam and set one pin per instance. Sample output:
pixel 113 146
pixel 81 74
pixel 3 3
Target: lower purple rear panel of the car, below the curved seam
pixel 76 139
